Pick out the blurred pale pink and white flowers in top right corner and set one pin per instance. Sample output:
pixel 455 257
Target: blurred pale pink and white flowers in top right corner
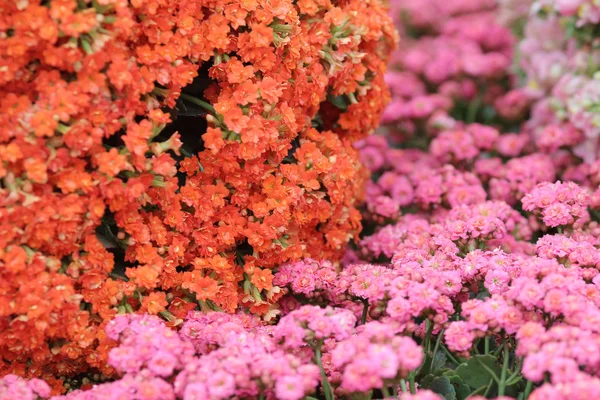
pixel 558 61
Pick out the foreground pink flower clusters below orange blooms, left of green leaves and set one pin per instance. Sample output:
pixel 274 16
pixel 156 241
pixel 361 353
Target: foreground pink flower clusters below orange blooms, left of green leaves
pixel 244 361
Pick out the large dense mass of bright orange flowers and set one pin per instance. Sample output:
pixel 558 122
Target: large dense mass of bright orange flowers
pixel 87 169
